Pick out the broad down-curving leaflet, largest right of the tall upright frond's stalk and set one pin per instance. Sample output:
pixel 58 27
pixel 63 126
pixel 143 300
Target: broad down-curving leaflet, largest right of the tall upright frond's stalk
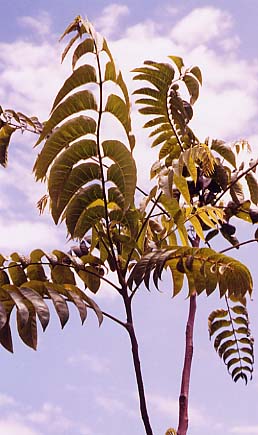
pixel 123 173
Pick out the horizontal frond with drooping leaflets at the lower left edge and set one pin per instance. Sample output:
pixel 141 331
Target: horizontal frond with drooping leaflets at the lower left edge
pixel 25 286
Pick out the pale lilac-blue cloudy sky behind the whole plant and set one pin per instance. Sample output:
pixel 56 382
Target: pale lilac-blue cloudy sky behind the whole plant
pixel 80 381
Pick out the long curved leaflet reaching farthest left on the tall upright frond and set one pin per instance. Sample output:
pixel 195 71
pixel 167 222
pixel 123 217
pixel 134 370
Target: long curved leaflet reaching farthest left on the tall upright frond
pixel 60 139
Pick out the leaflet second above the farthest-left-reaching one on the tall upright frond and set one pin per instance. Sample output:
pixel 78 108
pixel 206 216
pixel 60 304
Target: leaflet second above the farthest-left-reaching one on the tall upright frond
pixel 81 76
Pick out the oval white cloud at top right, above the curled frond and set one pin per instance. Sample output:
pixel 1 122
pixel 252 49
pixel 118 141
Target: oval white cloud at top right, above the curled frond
pixel 201 26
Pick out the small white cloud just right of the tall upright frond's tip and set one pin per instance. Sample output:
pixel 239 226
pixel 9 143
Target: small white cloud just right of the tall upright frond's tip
pixel 108 22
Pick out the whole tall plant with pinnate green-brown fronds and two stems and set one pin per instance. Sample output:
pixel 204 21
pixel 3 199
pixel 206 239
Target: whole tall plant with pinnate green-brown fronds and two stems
pixel 91 182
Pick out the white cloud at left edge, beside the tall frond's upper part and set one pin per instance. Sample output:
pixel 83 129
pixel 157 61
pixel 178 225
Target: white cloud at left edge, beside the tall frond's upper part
pixel 32 78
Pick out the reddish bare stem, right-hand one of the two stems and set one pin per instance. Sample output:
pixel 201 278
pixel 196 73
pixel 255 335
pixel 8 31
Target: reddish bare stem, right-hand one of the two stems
pixel 184 394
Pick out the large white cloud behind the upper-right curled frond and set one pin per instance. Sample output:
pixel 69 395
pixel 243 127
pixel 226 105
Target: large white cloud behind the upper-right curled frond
pixel 225 87
